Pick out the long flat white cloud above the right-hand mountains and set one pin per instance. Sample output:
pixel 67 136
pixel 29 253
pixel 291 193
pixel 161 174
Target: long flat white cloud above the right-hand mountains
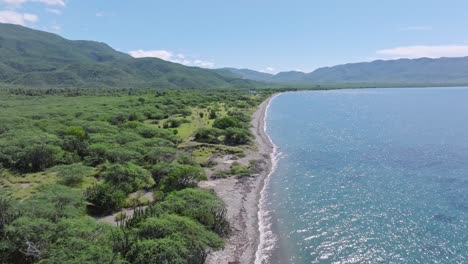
pixel 420 51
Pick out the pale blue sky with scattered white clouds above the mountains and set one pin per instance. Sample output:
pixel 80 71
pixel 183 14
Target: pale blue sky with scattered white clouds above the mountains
pixel 268 36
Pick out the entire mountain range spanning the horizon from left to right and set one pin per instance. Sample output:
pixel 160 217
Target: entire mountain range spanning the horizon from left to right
pixel 33 58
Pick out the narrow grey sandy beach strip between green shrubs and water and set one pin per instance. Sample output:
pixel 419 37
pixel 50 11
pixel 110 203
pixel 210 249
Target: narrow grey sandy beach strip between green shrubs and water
pixel 242 197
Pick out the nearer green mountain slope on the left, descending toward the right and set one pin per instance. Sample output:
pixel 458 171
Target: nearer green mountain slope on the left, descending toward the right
pixel 35 58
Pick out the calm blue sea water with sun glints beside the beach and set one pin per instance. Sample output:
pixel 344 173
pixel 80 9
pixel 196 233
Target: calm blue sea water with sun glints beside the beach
pixel 370 176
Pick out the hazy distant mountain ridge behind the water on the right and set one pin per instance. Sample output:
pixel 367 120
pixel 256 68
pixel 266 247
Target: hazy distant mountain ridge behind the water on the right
pixel 409 71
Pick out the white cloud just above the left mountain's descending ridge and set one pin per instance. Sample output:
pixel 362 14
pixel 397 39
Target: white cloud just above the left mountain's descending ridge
pixel 170 56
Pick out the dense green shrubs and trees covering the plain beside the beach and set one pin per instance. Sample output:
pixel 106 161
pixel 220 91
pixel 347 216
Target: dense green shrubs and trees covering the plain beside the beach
pixel 69 162
